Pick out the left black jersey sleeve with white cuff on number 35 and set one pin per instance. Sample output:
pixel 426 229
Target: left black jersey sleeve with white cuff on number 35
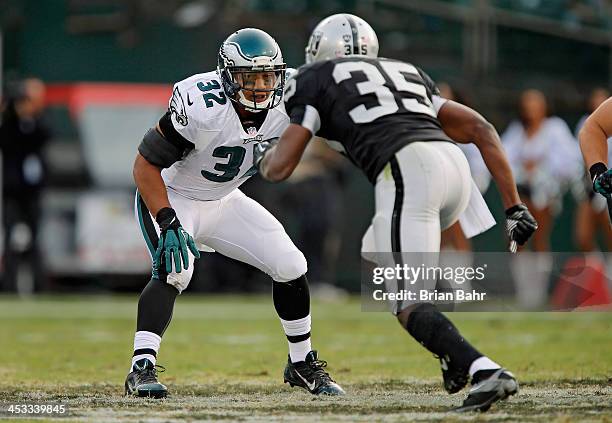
pixel 301 100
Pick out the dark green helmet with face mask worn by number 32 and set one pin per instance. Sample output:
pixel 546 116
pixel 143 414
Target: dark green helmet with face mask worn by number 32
pixel 247 56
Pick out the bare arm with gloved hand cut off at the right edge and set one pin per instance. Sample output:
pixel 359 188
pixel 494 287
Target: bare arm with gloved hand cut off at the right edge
pixel 594 146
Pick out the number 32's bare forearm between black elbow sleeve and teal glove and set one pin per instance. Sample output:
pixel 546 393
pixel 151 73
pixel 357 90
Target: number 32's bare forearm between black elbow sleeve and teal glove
pixel 150 185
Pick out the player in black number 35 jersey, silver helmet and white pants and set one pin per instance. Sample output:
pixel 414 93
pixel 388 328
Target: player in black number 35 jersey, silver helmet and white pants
pixel 388 118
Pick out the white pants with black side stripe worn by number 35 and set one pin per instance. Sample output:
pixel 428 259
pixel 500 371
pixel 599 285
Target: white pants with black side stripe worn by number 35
pixel 422 191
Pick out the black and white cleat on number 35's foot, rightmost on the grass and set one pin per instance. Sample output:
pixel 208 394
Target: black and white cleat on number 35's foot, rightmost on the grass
pixel 498 386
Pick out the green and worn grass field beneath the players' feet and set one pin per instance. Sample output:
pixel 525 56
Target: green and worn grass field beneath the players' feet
pixel 224 358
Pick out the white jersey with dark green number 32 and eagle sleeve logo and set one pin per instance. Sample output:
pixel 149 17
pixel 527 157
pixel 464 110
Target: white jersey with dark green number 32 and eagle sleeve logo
pixel 223 155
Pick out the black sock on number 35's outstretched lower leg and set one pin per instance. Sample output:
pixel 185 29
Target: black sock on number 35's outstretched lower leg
pixel 436 333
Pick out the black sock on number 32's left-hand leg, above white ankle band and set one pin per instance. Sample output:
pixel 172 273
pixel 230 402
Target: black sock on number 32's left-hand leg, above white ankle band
pixel 155 307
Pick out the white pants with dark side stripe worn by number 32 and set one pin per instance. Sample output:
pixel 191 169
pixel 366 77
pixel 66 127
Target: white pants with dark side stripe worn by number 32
pixel 236 226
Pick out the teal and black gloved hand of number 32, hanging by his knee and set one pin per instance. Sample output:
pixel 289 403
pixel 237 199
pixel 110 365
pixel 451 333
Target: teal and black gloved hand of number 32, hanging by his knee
pixel 174 242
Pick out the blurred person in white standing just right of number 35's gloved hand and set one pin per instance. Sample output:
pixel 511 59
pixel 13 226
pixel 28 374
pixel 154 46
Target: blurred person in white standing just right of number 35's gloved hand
pixel 544 157
